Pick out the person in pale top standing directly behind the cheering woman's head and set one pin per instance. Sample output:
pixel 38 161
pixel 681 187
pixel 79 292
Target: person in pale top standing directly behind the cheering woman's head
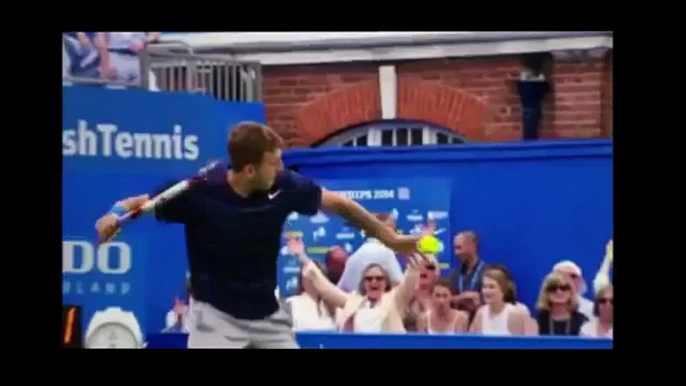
pixel 371 252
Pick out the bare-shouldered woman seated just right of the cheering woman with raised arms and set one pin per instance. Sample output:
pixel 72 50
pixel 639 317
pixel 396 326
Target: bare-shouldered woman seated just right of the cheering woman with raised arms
pixel 440 318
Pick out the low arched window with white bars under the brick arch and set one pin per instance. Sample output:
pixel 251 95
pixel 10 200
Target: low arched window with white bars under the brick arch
pixel 395 132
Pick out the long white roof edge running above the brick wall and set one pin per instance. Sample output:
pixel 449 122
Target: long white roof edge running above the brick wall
pixel 434 51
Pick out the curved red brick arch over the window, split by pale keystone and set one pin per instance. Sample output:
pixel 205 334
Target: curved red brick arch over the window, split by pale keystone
pixel 359 103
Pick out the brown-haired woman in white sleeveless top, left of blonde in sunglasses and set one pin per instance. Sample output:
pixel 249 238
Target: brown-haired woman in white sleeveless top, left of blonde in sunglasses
pixel 497 316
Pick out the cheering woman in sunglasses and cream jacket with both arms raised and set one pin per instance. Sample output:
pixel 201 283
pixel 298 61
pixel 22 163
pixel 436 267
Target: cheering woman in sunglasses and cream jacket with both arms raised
pixel 375 306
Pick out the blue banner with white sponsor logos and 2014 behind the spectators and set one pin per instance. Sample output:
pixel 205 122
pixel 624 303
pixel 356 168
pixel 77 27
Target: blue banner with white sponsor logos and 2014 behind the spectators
pixel 408 200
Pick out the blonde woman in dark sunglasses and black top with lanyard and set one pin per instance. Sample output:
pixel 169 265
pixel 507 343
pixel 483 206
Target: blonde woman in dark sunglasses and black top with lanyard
pixel 557 307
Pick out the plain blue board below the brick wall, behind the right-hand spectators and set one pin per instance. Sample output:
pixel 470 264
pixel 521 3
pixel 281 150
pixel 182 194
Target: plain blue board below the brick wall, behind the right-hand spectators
pixel 532 203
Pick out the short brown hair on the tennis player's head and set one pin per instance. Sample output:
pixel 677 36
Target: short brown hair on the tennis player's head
pixel 249 141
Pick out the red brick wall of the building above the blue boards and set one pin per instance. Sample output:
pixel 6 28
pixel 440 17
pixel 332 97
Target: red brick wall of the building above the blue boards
pixel 475 97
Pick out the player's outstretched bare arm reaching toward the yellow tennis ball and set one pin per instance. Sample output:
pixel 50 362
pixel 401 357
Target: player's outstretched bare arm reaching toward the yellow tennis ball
pixel 361 218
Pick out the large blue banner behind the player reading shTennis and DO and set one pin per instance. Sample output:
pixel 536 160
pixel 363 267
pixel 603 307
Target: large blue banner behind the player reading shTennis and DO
pixel 119 143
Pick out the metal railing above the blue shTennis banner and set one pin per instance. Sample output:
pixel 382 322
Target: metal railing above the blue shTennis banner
pixel 173 66
